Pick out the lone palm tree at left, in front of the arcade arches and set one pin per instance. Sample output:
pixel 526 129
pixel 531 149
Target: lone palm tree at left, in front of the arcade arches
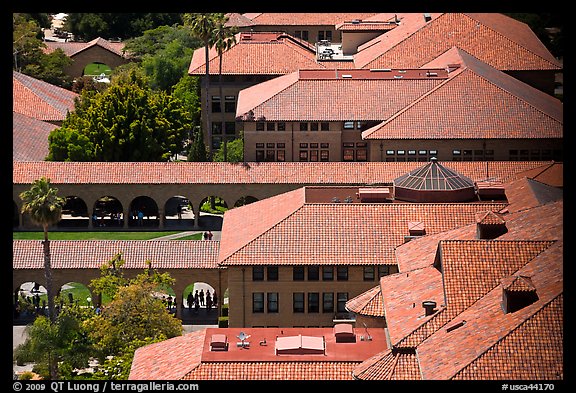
pixel 44 206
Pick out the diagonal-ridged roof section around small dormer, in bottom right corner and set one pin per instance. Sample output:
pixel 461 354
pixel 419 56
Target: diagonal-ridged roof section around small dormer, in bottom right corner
pixel 535 334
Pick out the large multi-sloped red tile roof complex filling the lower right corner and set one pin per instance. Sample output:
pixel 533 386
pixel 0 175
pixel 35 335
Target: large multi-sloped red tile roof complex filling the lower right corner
pixel 474 272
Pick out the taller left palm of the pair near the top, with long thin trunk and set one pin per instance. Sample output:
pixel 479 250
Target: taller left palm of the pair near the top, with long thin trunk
pixel 203 26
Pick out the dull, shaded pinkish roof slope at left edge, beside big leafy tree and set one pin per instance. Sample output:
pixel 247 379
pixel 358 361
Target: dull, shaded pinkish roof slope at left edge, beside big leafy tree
pixel 29 138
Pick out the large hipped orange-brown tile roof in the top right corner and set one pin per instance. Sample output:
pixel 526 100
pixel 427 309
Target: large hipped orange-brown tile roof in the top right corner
pixel 502 42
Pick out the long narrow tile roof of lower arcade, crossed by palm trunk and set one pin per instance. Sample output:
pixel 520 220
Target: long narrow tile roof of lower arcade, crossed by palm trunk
pixel 92 254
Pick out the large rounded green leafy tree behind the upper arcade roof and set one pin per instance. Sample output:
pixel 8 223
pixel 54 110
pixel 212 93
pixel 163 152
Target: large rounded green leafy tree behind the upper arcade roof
pixel 126 122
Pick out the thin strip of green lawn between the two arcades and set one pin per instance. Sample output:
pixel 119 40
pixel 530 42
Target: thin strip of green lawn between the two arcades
pixel 38 235
